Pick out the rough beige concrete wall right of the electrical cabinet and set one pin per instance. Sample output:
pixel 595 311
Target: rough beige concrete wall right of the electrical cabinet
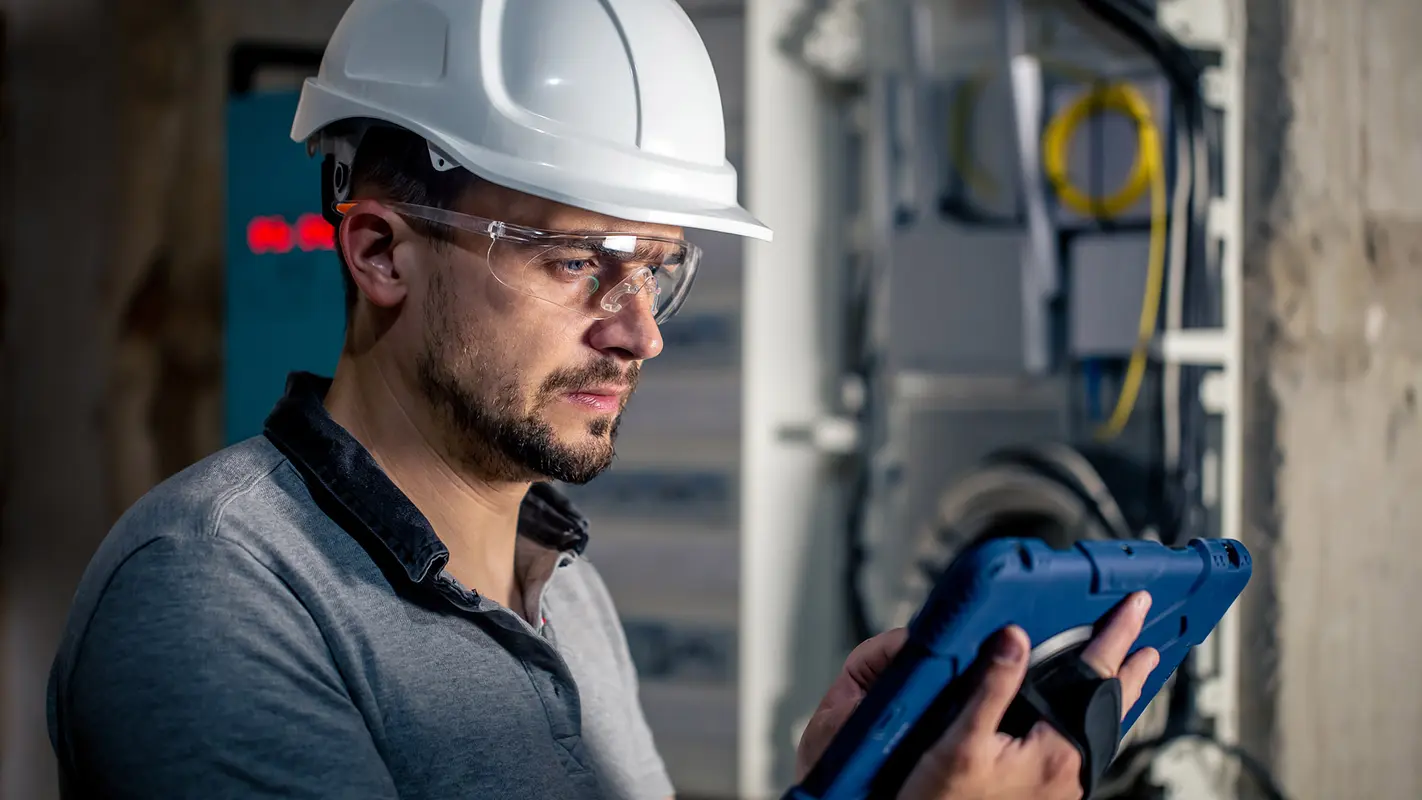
pixel 1335 292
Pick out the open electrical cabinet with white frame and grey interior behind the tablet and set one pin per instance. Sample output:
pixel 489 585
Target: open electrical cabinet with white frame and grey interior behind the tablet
pixel 975 346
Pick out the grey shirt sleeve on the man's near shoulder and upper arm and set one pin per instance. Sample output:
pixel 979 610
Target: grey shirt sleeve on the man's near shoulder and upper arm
pixel 203 676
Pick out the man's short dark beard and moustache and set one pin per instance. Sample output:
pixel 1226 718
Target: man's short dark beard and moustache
pixel 498 440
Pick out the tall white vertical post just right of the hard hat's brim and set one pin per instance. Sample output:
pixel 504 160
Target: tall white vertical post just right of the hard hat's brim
pixel 783 379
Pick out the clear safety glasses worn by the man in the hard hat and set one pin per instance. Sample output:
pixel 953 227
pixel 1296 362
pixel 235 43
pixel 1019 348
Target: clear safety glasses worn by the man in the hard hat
pixel 597 275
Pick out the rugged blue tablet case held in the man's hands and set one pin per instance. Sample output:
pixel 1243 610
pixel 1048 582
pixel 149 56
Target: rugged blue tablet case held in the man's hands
pixel 1052 595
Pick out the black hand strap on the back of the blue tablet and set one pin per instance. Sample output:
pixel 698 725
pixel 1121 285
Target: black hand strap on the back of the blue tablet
pixel 1076 700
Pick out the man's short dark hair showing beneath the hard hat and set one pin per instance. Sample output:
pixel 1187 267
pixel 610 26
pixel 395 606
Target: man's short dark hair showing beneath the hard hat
pixel 395 166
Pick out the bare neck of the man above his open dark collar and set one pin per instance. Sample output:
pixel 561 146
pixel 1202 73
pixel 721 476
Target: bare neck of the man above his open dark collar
pixel 476 519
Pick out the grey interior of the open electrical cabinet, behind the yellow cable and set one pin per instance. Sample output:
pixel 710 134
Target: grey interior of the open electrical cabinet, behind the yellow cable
pixel 961 369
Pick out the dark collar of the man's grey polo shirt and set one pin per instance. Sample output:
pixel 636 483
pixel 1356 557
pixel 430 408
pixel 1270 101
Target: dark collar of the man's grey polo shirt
pixel 370 507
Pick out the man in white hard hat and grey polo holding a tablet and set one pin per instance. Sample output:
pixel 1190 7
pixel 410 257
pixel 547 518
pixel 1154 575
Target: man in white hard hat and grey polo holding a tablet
pixel 382 596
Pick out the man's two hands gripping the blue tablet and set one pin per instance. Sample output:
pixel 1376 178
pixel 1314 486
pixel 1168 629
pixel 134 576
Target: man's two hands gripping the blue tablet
pixel 973 761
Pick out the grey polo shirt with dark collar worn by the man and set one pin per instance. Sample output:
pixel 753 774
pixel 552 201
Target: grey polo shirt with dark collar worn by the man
pixel 277 622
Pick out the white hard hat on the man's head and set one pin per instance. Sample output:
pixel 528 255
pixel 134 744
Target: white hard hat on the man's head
pixel 608 106
